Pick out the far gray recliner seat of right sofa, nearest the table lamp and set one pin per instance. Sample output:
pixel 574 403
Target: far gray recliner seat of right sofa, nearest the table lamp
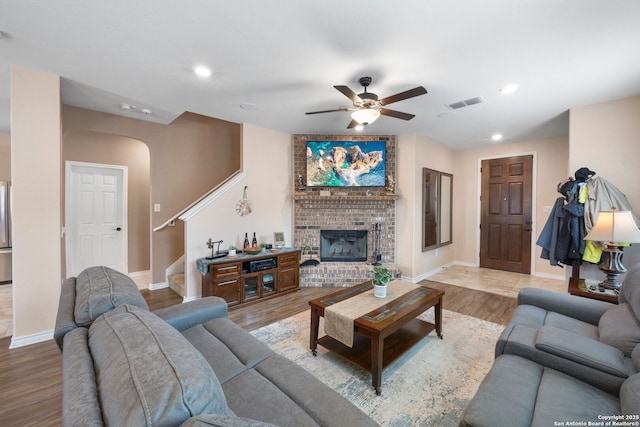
pixel 584 338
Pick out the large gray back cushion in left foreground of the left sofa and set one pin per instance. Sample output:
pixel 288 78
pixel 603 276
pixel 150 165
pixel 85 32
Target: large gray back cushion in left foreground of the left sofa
pixel 147 373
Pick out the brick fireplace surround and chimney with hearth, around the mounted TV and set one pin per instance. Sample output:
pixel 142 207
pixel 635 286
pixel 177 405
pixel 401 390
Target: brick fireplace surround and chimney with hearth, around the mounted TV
pixel 342 208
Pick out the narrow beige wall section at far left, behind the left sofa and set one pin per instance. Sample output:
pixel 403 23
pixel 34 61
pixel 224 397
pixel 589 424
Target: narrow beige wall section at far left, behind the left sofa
pixel 36 177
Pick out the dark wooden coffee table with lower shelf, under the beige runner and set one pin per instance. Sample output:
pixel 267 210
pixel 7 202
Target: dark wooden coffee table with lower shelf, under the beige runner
pixel 384 334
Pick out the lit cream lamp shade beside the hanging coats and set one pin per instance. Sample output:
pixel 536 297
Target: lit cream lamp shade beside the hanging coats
pixel 614 227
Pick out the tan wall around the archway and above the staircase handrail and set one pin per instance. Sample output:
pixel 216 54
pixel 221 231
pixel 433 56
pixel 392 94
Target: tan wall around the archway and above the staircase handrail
pixel 188 158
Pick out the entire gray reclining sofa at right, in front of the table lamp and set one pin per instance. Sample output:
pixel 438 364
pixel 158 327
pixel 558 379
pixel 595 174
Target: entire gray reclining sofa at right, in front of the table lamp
pixel 562 359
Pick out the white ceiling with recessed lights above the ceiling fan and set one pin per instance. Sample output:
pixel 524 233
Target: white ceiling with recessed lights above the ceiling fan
pixel 285 56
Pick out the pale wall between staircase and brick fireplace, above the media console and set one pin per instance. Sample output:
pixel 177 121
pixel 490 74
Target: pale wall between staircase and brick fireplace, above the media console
pixel 269 188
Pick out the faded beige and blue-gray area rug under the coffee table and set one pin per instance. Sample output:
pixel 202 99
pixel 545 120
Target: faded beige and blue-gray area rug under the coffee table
pixel 430 385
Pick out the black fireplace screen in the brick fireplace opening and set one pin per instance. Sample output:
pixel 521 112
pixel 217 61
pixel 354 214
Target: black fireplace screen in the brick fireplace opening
pixel 343 245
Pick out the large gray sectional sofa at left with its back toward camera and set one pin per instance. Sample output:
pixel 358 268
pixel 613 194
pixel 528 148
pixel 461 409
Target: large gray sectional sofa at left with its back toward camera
pixel 186 365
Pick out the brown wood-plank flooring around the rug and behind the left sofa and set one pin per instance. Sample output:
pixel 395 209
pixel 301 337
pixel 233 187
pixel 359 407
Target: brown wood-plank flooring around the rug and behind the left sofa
pixel 31 377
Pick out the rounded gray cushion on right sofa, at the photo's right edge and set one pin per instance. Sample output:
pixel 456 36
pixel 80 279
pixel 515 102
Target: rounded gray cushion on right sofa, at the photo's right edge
pixel 619 328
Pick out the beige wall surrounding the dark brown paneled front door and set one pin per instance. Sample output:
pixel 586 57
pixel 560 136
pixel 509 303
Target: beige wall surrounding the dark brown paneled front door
pixel 551 160
